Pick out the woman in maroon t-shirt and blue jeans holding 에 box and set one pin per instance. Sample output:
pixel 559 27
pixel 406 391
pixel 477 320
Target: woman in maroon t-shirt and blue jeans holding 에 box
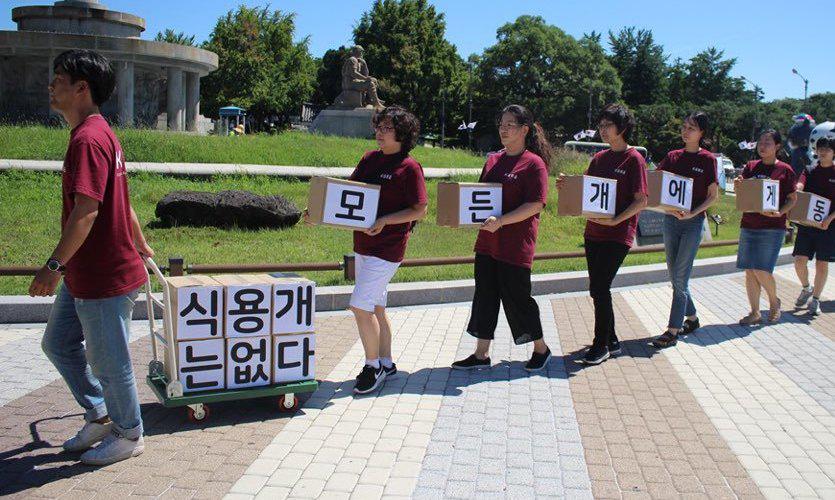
pixel 683 230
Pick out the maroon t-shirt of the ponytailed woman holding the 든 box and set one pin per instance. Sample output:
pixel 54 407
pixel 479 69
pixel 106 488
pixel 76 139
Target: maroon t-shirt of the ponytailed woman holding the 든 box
pixel 524 179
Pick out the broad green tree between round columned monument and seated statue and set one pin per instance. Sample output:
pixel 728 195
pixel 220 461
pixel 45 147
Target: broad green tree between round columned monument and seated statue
pixel 261 68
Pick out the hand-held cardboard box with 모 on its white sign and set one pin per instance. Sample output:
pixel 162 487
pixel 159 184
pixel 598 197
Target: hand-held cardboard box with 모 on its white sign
pixel 343 204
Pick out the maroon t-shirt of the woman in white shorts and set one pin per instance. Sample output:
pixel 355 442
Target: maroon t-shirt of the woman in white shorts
pixel 401 183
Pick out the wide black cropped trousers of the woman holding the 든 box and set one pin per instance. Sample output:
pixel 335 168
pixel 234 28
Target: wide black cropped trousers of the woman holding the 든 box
pixel 498 282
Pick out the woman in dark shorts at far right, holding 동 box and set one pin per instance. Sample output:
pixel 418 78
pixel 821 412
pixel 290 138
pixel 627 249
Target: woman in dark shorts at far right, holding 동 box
pixel 813 243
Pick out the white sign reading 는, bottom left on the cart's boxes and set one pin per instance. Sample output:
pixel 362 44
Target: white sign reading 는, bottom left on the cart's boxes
pixel 200 364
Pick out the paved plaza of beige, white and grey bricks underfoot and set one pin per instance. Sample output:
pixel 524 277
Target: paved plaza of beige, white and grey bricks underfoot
pixel 731 412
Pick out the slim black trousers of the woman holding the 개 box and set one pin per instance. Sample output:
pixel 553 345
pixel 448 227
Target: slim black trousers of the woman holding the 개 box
pixel 603 259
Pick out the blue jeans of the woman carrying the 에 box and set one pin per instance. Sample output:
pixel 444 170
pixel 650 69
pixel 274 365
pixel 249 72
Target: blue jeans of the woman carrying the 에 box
pixel 681 242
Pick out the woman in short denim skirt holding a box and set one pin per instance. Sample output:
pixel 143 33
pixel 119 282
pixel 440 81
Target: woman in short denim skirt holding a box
pixel 762 234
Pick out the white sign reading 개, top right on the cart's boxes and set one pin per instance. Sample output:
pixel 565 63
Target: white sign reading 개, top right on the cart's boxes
pixel 294 303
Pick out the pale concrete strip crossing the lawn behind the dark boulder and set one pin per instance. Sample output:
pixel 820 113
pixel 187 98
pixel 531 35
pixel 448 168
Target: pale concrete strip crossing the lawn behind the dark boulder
pixel 228 169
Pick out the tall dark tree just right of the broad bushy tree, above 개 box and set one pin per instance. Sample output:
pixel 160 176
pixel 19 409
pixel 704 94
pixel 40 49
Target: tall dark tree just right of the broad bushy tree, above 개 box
pixel 641 65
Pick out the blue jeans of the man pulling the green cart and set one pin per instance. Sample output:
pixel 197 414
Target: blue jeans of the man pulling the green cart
pixel 100 375
